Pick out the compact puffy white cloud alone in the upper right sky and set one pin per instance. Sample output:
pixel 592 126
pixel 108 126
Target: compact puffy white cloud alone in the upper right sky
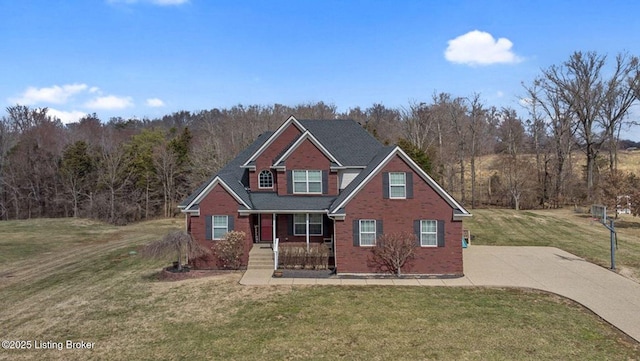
pixel 480 48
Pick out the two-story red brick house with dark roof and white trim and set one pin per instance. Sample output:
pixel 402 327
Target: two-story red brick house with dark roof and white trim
pixel 329 181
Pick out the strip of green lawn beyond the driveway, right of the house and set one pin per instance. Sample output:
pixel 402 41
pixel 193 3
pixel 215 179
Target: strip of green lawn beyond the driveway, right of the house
pixel 563 228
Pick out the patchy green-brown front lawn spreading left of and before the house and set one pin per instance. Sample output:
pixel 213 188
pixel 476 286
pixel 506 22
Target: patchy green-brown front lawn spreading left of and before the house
pixel 88 287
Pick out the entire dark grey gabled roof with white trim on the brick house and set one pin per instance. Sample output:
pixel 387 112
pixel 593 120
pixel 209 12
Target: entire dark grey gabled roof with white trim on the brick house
pixel 344 142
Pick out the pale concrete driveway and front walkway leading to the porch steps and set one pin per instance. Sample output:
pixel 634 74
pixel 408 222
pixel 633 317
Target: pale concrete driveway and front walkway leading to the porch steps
pixel 613 297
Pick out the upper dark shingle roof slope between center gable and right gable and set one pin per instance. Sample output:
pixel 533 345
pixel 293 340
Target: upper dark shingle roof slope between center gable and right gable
pixel 351 144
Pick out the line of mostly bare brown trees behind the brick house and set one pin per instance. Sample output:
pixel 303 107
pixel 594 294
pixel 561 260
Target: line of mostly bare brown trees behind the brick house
pixel 124 170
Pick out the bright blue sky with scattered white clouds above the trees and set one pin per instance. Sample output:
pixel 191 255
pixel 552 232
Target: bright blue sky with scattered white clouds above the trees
pixel 147 58
